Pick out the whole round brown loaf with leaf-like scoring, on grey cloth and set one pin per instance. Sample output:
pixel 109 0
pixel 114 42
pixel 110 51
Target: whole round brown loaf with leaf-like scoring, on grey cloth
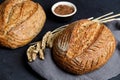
pixel 83 46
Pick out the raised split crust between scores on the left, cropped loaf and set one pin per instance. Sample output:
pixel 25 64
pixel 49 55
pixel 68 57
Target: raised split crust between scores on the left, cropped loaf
pixel 23 16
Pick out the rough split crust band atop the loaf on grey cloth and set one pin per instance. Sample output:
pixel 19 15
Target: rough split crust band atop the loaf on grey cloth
pixel 83 39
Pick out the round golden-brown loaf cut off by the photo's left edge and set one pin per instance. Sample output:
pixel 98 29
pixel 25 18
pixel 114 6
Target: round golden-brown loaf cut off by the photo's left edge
pixel 20 22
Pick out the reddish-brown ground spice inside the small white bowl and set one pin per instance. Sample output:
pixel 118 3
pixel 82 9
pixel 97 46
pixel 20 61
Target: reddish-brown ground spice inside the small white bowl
pixel 64 10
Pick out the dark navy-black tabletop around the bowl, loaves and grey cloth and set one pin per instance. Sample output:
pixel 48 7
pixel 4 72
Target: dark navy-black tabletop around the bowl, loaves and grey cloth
pixel 13 63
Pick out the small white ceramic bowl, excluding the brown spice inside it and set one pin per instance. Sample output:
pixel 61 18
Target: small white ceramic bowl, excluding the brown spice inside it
pixel 66 16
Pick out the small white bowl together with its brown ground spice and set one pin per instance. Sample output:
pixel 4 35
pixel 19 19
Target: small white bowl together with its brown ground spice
pixel 63 10
